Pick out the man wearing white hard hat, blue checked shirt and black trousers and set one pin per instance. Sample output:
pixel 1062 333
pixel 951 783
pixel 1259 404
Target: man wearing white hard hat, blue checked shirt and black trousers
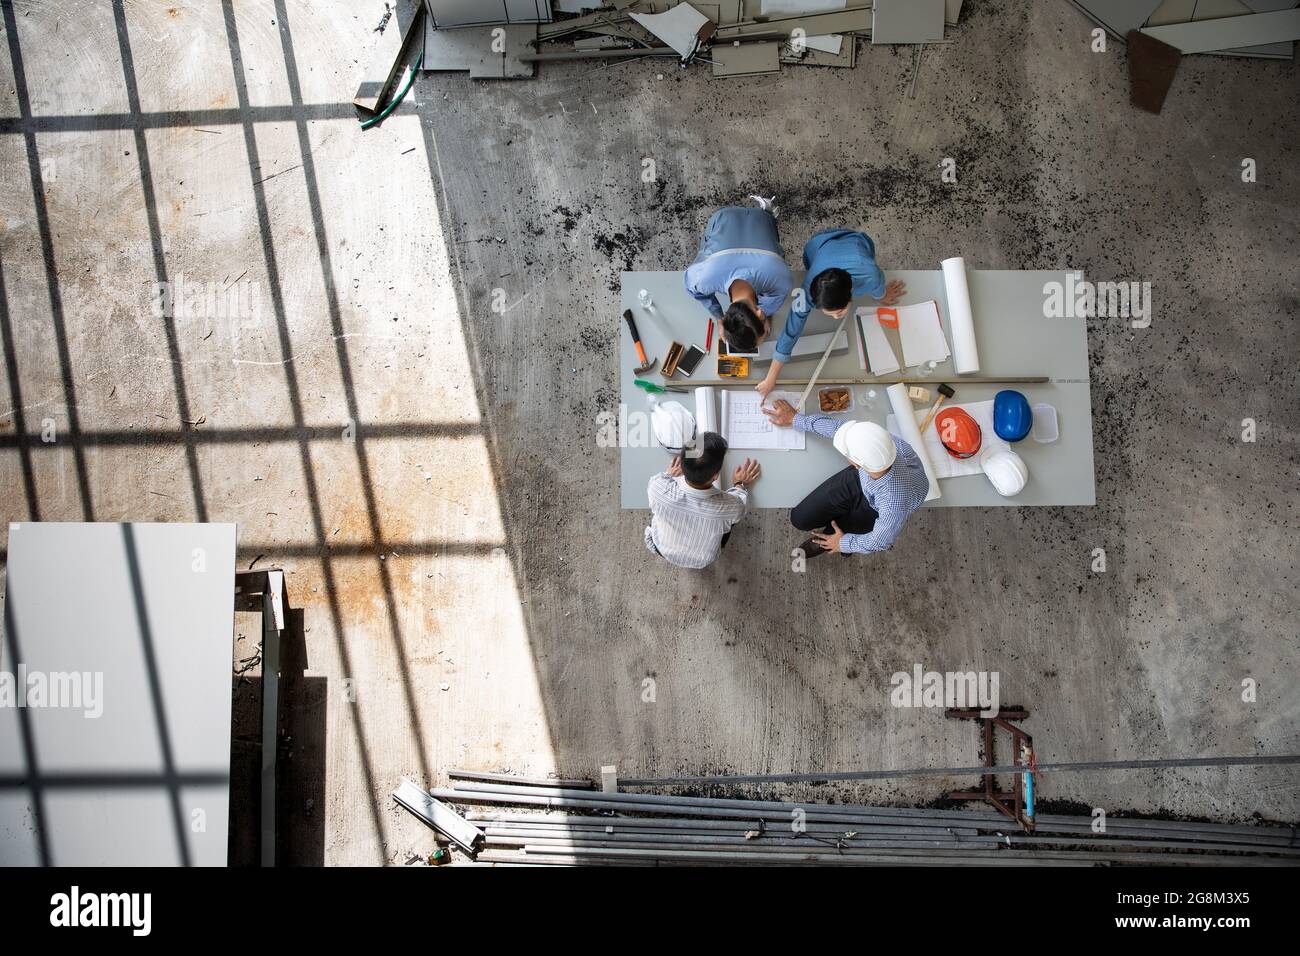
pixel 863 508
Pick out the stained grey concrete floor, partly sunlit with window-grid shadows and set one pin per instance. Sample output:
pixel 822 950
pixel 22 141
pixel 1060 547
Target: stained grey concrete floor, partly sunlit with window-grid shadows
pixel 427 473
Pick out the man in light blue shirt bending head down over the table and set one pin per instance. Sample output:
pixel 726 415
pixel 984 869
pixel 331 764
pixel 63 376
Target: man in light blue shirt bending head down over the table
pixel 742 258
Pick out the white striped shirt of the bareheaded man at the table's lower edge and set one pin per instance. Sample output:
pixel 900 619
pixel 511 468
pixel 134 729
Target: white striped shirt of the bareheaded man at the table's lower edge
pixel 687 525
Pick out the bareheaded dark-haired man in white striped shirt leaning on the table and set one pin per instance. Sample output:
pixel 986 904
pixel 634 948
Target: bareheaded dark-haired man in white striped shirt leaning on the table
pixel 692 520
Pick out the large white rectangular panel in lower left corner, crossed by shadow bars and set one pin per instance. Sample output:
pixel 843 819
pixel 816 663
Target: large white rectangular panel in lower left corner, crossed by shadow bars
pixel 115 716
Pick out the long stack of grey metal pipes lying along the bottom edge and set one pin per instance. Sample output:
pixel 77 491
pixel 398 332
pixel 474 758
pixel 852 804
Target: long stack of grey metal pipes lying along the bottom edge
pixel 577 825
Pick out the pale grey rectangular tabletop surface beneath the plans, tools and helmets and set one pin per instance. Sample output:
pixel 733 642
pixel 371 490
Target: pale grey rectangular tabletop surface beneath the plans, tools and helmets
pixel 1013 338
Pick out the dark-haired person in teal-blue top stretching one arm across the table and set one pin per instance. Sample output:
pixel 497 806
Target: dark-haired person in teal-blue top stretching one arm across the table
pixel 842 265
